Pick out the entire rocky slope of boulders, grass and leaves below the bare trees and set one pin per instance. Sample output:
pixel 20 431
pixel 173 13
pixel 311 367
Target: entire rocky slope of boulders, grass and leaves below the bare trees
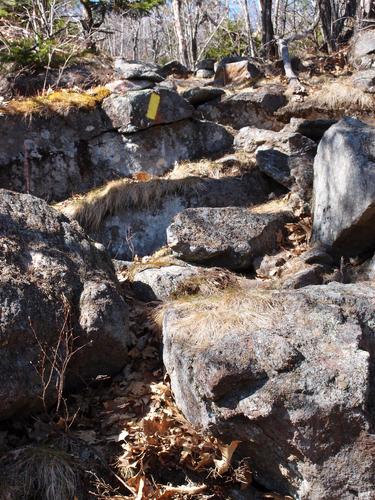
pixel 187 306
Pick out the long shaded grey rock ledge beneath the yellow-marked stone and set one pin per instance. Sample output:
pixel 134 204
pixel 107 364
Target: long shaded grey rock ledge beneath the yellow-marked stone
pixel 53 157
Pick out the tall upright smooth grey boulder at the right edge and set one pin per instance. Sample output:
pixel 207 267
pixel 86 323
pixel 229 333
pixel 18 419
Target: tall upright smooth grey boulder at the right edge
pixel 344 188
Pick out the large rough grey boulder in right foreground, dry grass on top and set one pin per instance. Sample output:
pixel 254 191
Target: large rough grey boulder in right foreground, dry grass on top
pixel 289 374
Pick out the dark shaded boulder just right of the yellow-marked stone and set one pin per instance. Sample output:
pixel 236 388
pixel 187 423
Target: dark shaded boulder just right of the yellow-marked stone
pixel 255 108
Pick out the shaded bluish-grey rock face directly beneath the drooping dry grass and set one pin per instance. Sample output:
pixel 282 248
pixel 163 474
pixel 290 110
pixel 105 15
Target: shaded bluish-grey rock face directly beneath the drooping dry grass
pixel 131 230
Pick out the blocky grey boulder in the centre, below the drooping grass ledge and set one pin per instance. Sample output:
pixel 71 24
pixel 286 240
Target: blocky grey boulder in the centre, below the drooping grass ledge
pixel 229 237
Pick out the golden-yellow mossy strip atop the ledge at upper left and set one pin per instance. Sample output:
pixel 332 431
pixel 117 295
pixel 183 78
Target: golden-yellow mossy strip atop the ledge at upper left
pixel 60 102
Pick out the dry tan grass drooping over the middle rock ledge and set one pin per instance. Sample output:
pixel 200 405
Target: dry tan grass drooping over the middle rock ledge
pixel 91 209
